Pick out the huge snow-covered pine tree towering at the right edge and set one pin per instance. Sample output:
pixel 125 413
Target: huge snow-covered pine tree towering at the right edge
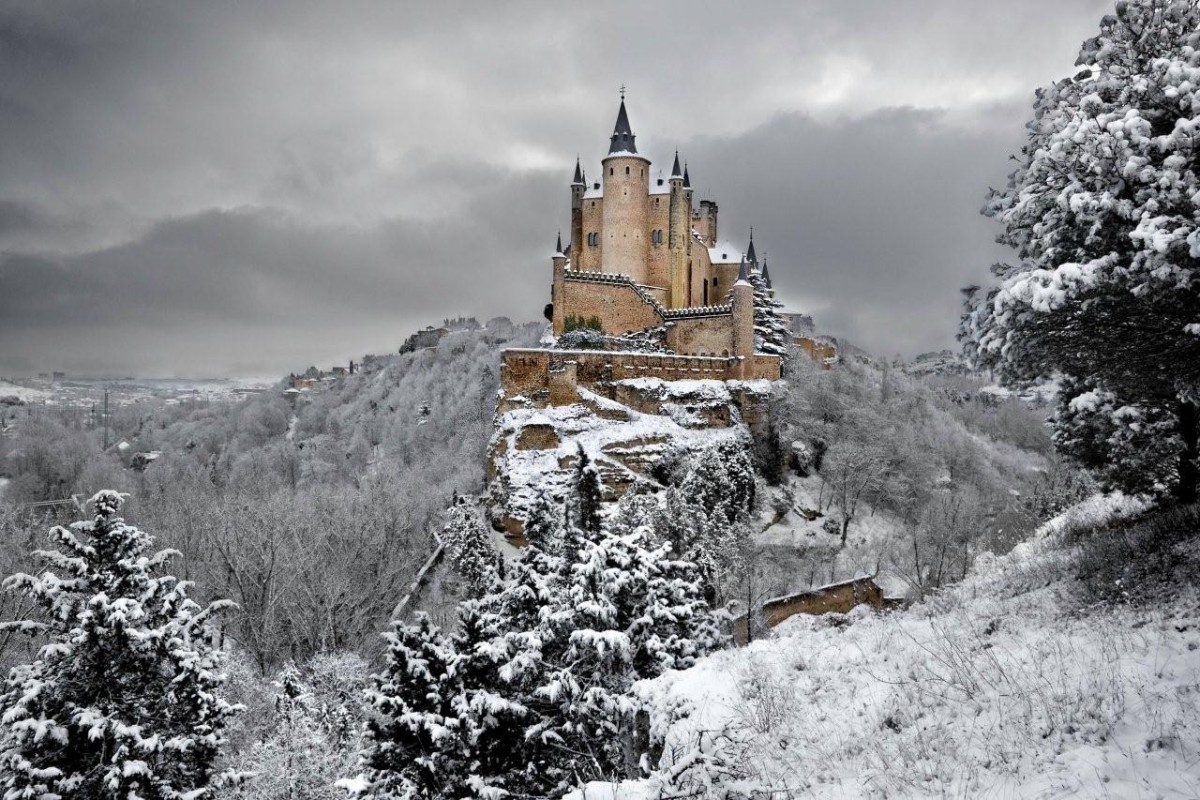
pixel 1103 213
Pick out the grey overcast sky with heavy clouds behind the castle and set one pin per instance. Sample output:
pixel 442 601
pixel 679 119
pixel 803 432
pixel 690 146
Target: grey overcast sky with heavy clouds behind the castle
pixel 209 189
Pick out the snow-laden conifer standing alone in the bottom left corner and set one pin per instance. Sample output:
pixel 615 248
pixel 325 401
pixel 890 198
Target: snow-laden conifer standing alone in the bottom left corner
pixel 124 699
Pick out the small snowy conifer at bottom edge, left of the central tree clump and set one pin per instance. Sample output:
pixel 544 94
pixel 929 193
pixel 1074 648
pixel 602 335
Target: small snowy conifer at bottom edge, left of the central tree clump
pixel 416 743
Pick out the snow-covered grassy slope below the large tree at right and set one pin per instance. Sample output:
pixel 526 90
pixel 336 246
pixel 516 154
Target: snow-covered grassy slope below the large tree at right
pixel 1009 685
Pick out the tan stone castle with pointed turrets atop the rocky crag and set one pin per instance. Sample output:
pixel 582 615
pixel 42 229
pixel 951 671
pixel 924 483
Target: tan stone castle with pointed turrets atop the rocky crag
pixel 643 257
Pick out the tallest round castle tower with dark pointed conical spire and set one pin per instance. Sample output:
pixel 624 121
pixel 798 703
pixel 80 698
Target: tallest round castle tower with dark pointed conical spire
pixel 627 183
